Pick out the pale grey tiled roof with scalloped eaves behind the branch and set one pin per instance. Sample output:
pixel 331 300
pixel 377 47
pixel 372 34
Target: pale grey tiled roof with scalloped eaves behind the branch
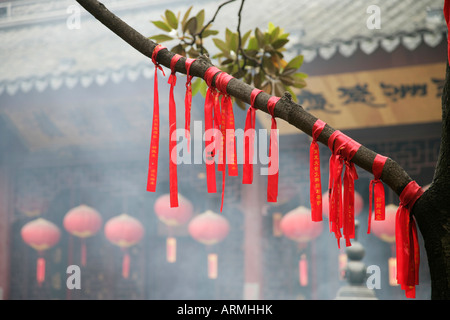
pixel 39 51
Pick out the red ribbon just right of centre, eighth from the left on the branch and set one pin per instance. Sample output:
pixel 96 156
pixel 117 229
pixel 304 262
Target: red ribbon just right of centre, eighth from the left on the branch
pixel 272 181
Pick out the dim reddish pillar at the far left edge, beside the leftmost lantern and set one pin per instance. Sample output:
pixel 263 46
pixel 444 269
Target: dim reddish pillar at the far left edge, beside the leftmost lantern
pixel 5 209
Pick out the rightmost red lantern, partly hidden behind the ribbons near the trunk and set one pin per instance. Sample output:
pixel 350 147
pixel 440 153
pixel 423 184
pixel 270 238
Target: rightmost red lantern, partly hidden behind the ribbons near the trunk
pixel 385 230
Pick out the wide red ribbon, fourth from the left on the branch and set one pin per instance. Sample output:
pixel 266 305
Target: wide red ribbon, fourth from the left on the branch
pixel 210 134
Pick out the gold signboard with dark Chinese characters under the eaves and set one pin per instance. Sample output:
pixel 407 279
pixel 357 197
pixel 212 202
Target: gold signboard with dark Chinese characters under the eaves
pixel 386 97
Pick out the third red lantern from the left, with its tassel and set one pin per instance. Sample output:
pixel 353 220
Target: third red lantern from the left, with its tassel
pixel 124 231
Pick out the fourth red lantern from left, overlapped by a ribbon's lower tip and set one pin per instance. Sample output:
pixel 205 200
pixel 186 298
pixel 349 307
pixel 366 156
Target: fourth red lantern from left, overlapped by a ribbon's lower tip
pixel 173 217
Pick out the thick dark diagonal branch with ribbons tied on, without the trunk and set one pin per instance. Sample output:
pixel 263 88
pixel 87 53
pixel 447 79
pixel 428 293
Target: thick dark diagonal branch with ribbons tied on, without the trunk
pixel 393 174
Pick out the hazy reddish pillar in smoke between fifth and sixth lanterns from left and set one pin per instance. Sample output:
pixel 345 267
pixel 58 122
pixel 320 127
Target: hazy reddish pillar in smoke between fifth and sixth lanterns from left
pixel 253 259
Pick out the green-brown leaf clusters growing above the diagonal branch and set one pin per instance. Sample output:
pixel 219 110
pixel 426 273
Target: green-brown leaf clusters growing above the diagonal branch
pixel 256 56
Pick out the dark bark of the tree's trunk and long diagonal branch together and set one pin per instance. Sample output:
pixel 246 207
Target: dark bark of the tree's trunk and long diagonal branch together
pixel 431 210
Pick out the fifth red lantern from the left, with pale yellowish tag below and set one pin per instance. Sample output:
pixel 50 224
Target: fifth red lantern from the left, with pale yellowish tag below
pixel 209 228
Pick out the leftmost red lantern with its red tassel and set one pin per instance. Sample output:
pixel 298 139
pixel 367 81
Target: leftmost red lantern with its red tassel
pixel 41 235
